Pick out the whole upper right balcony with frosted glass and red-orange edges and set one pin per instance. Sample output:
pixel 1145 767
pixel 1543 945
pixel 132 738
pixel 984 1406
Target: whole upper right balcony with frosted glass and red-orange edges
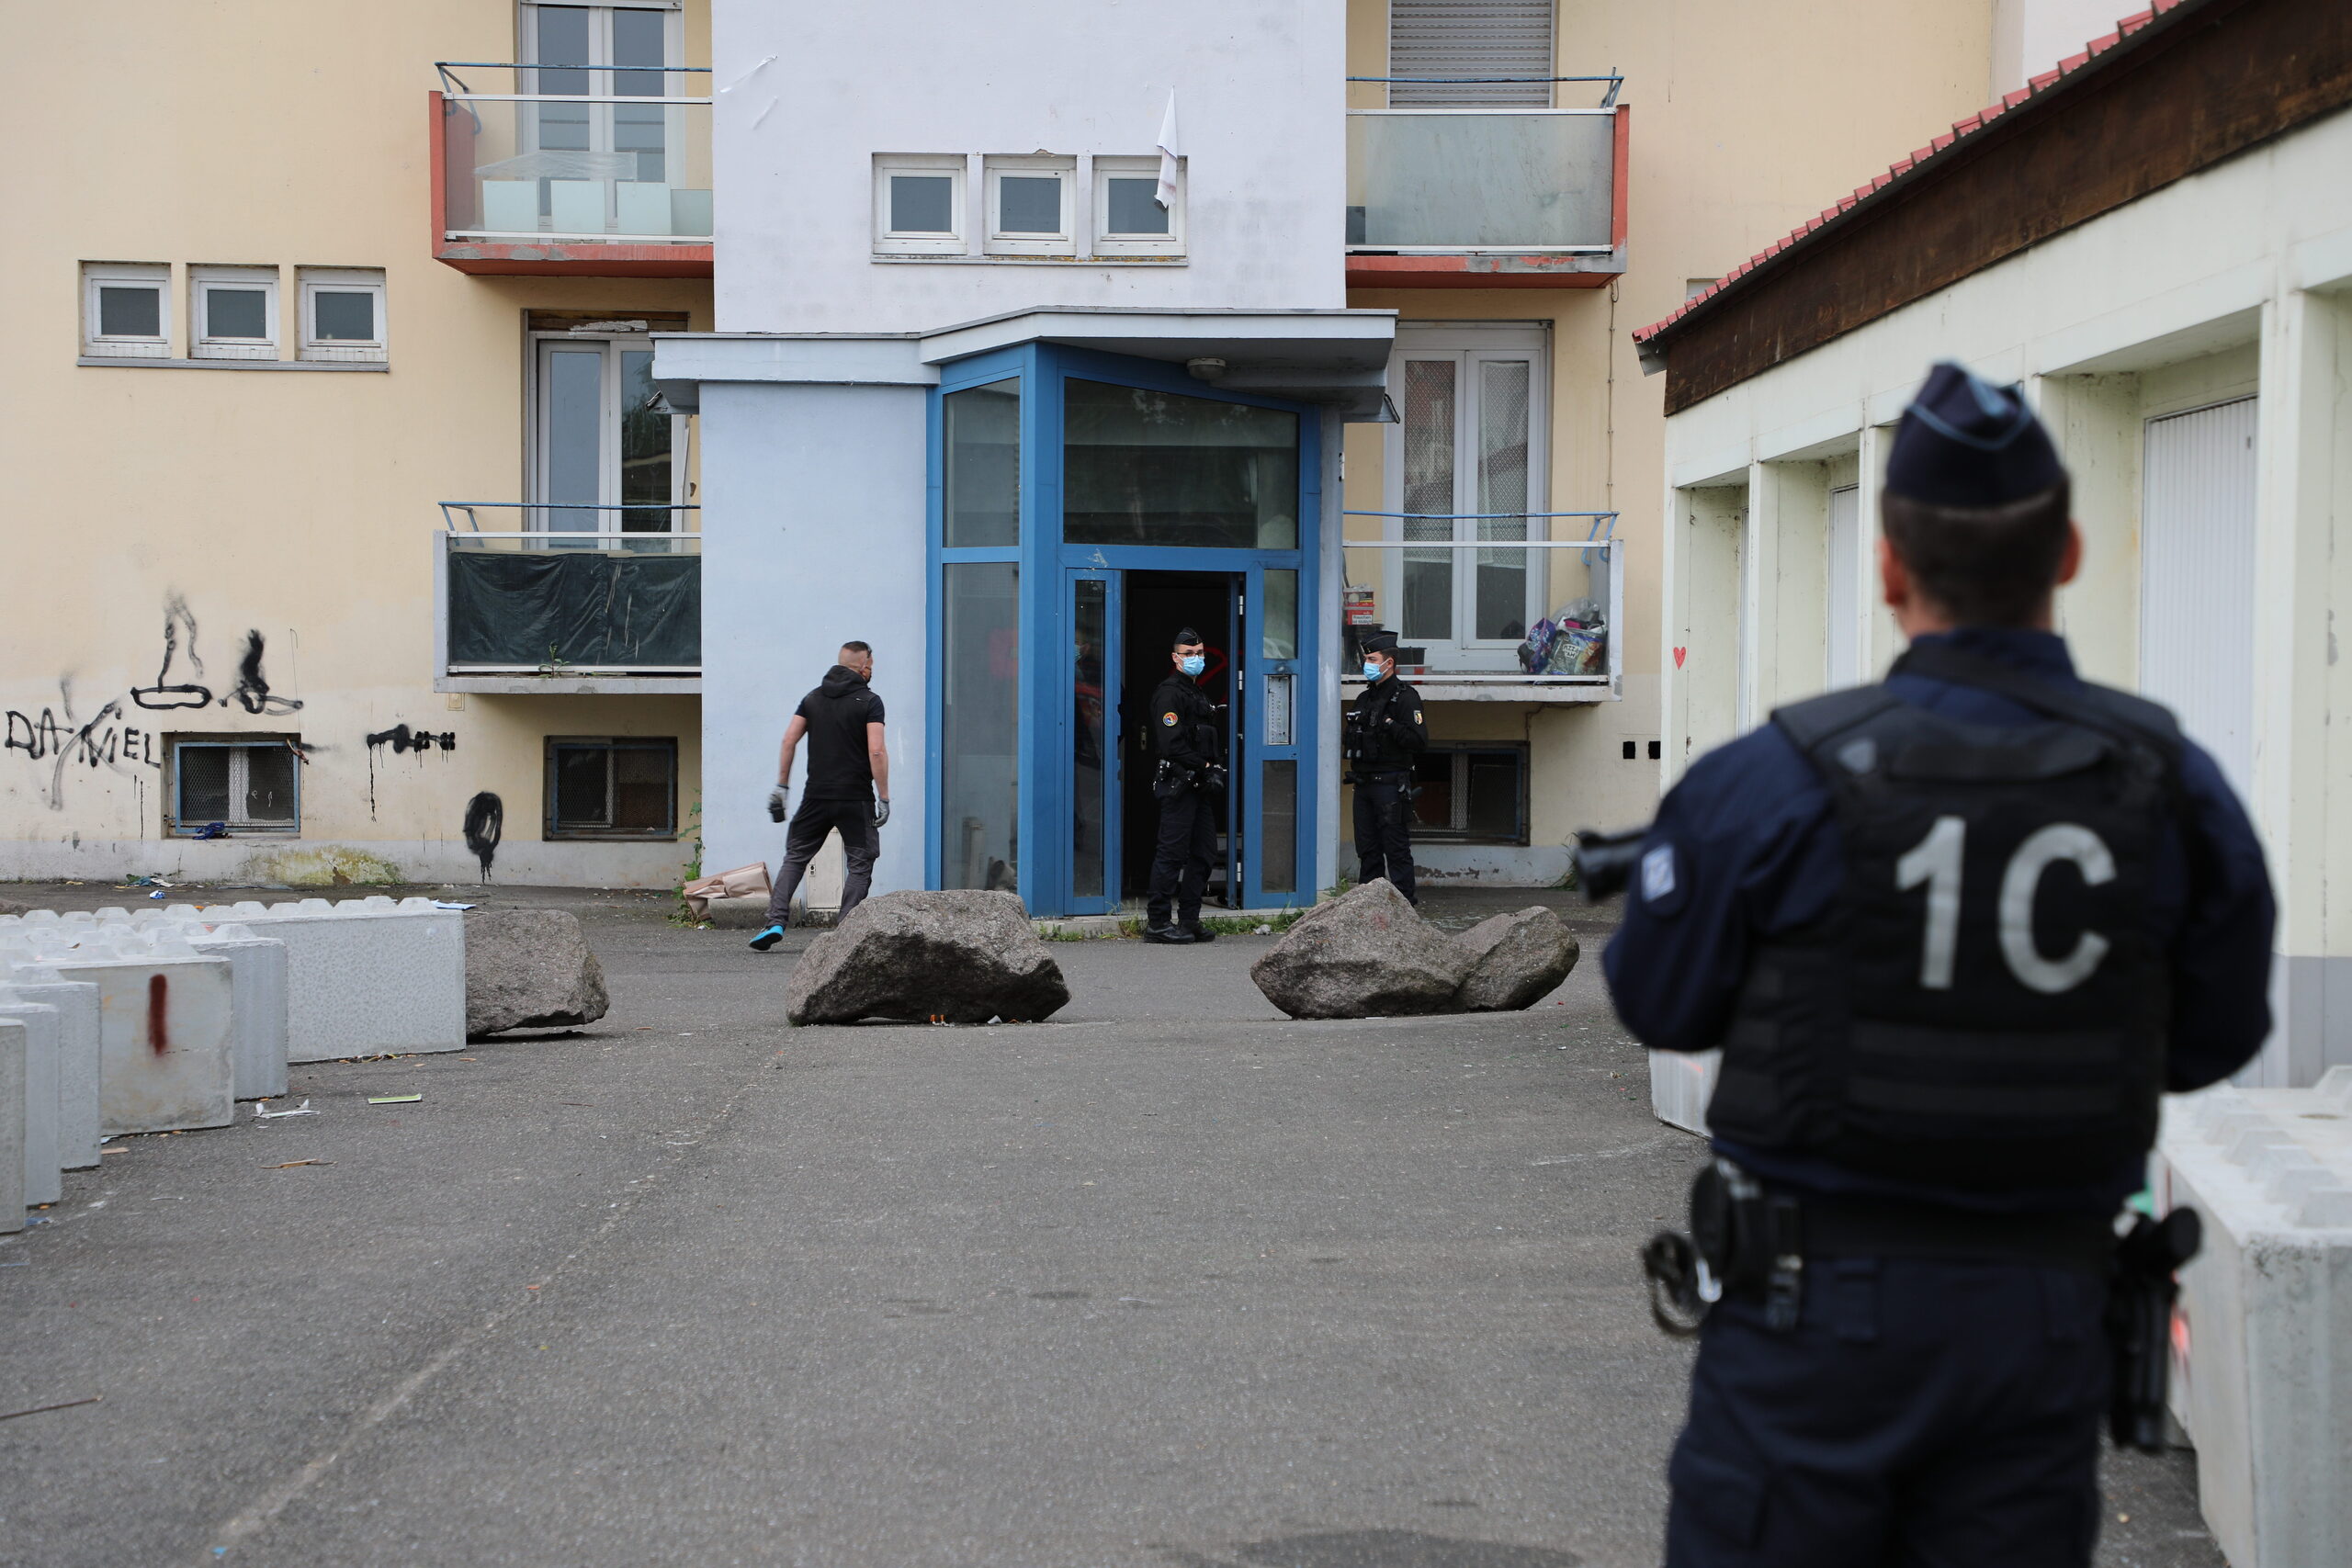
pixel 1485 196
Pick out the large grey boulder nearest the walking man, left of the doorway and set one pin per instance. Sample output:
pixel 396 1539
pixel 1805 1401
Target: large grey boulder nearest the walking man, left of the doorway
pixel 956 956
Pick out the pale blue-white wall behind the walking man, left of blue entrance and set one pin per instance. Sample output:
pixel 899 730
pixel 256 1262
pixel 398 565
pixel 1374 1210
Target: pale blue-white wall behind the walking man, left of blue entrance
pixel 815 532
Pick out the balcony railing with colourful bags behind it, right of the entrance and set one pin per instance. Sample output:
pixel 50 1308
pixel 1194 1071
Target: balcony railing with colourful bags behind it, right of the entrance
pixel 1485 601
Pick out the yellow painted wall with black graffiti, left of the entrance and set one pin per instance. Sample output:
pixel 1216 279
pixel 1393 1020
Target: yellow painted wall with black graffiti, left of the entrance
pixel 295 504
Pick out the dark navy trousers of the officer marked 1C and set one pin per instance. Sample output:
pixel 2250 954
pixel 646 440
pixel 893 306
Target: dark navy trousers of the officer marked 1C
pixel 1920 1416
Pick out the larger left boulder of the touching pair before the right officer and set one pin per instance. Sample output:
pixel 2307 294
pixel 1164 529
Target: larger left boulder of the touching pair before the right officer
pixel 1363 956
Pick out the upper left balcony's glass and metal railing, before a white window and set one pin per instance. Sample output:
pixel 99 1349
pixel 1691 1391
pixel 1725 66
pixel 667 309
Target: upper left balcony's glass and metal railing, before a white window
pixel 613 156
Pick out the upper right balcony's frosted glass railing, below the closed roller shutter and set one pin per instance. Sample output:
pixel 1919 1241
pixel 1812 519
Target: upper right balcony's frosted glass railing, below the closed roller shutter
pixel 1448 180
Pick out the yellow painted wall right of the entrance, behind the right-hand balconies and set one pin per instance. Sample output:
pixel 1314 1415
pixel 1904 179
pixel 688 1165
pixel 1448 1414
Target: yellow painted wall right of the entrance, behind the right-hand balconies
pixel 1746 121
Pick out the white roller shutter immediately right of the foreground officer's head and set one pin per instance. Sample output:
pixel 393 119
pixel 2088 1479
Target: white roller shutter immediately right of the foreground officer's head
pixel 2198 579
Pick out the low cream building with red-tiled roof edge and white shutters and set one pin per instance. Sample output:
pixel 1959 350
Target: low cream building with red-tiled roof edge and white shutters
pixel 2156 241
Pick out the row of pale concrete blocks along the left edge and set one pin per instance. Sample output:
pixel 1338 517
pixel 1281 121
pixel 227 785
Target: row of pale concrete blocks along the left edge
pixel 147 1021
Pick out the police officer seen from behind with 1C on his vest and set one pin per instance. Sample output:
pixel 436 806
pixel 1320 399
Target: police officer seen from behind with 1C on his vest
pixel 1953 934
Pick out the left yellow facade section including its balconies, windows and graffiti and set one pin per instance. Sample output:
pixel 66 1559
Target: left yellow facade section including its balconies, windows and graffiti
pixel 298 290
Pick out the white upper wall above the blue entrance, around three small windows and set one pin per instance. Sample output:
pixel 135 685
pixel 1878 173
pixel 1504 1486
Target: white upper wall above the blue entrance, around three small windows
pixel 810 93
